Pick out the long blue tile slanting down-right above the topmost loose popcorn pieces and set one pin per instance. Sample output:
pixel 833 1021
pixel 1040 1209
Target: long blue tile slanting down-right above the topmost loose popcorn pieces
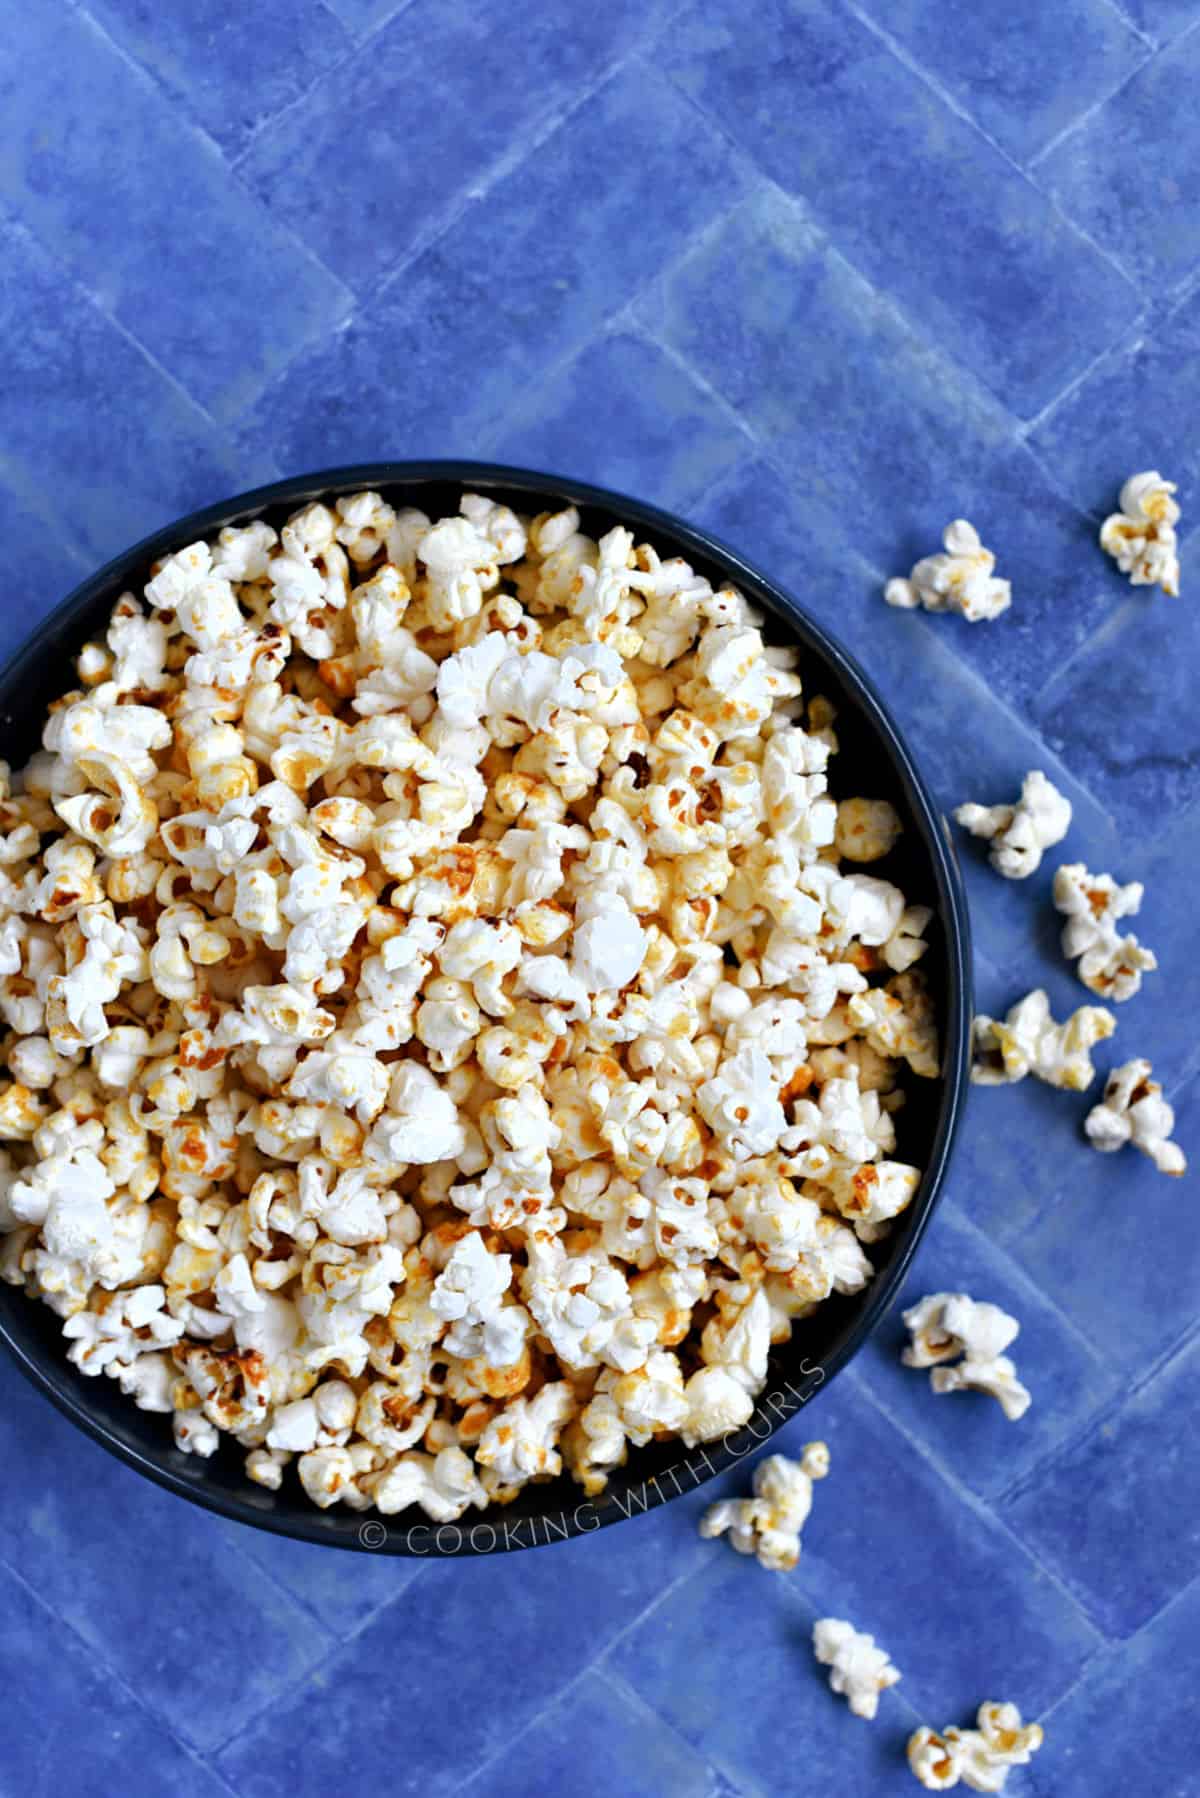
pixel 879 156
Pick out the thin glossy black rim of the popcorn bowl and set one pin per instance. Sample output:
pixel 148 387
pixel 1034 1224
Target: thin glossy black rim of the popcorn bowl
pixel 372 1531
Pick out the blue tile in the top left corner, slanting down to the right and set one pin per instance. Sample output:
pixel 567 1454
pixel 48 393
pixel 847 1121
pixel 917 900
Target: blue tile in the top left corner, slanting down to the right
pixel 215 287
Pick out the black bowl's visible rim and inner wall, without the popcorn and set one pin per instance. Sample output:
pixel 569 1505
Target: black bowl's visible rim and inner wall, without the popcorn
pixel 873 760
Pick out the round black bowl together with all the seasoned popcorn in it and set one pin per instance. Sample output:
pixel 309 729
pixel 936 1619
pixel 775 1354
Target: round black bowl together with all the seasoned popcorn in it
pixel 487 1008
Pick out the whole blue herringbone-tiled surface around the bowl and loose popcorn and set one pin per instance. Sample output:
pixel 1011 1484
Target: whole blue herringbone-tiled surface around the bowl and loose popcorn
pixel 823 278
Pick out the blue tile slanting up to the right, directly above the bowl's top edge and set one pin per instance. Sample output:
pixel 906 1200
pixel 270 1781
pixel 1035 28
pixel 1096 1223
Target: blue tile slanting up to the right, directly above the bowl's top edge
pixel 449 350
